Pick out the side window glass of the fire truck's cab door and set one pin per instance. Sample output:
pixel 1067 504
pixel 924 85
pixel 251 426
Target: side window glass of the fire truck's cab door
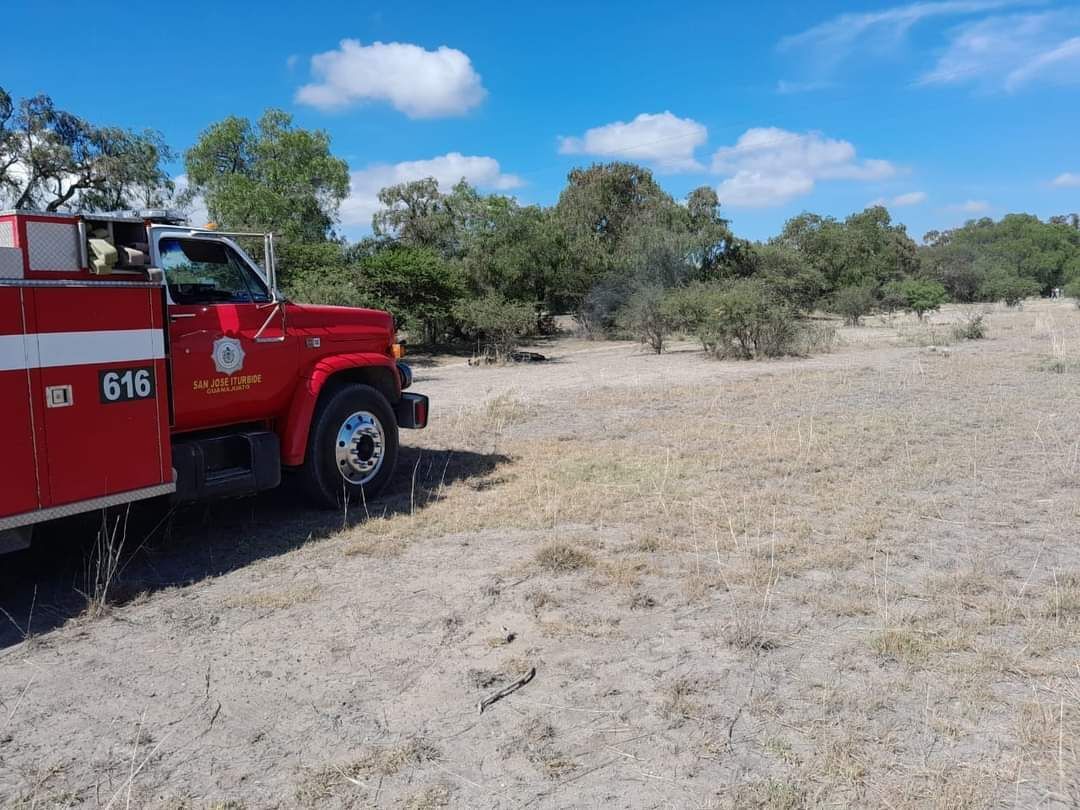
pixel 206 272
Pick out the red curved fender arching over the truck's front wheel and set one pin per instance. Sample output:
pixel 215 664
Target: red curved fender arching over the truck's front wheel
pixel 372 369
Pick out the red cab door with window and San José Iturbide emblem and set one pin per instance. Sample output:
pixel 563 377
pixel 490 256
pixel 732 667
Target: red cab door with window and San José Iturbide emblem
pixel 233 358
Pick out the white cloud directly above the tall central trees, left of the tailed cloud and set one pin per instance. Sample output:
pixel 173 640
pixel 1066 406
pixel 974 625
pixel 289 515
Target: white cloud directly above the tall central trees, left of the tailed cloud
pixel 663 139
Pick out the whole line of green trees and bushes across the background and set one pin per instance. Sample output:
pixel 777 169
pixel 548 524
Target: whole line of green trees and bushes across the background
pixel 616 251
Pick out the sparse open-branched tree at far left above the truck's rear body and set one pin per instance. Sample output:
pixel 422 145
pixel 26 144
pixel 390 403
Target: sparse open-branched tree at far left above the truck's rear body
pixel 53 160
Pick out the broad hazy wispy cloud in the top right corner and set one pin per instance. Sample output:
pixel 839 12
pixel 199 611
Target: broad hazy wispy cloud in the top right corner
pixel 1010 51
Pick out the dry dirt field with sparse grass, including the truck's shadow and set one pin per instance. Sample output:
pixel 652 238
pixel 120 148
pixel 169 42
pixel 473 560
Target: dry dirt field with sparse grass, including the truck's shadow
pixel 850 580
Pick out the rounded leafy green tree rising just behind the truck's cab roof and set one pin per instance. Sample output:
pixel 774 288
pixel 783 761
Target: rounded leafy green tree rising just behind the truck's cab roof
pixel 269 177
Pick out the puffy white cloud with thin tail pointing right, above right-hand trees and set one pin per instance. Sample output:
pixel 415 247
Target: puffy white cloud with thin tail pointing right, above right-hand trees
pixel 771 167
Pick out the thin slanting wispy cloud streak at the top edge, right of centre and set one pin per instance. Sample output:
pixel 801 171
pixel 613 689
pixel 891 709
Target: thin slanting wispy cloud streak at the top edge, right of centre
pixel 834 39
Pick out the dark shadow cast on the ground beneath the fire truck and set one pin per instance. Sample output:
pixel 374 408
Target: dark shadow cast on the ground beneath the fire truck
pixel 165 547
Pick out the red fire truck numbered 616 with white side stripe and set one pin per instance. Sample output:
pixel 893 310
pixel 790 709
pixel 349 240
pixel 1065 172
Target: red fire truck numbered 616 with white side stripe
pixel 143 358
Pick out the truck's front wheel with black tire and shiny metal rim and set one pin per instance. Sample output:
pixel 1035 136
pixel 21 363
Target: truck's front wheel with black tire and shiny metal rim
pixel 329 480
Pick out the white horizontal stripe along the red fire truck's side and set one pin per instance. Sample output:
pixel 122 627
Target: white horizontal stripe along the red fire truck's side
pixel 52 349
